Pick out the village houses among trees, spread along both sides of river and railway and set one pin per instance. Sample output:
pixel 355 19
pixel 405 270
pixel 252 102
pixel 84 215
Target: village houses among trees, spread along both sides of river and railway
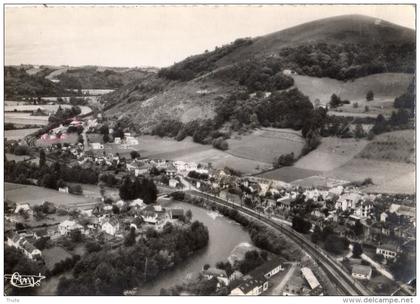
pixel 368 233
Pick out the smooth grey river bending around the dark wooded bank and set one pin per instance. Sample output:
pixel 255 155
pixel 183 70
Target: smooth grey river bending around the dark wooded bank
pixel 224 236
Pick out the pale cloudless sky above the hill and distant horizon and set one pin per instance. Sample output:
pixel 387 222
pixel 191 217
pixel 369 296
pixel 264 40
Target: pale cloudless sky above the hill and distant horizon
pixel 155 35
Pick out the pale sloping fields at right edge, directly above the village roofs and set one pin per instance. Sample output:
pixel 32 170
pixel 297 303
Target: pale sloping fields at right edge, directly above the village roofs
pixel 388 160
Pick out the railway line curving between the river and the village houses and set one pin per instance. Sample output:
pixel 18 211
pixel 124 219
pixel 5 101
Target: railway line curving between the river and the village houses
pixel 344 282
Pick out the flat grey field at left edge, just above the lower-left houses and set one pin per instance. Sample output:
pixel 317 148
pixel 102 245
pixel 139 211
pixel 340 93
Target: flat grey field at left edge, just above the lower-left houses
pixel 34 195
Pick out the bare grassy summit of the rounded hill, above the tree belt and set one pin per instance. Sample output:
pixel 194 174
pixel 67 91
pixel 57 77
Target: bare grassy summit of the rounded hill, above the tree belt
pixel 351 29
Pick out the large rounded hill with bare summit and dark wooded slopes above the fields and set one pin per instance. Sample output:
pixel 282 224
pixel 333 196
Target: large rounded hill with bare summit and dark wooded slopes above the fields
pixel 341 48
